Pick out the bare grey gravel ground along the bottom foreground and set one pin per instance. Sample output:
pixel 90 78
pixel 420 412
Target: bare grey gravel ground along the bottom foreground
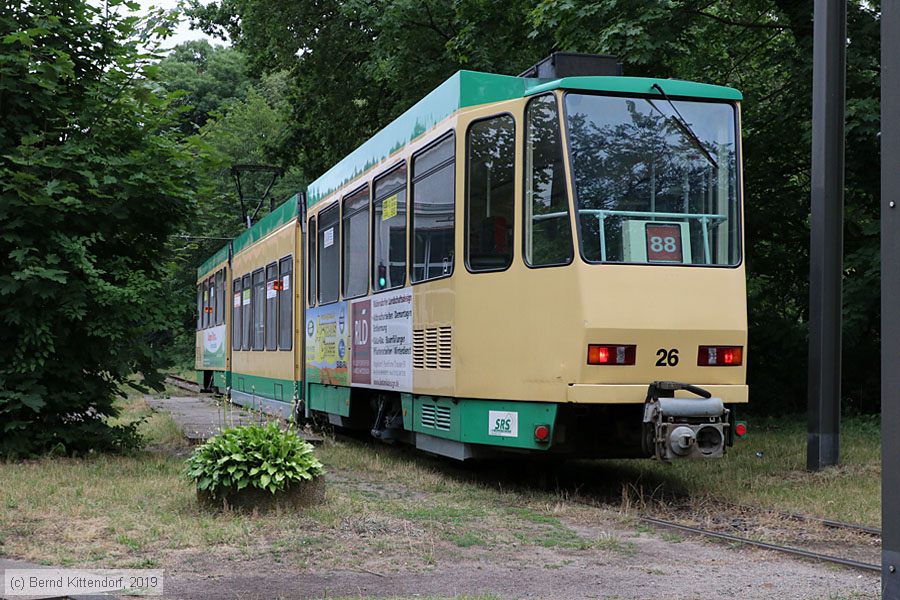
pixel 656 568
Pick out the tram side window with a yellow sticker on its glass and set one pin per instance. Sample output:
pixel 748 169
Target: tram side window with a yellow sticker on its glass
pixel 389 230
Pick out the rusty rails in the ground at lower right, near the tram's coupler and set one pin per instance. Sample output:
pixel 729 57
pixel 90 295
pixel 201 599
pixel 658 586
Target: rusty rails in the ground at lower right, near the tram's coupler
pixel 784 549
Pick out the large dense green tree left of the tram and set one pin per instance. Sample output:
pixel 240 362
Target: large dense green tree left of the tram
pixel 93 181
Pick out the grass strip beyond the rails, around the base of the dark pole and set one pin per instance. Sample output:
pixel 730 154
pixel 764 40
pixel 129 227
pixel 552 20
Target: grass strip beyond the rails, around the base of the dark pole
pixel 769 469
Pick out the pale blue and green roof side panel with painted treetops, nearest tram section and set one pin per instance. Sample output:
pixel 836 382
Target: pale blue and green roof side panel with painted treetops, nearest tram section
pixel 463 89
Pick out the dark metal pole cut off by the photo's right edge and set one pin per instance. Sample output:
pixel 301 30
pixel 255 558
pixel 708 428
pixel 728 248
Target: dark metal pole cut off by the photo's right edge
pixel 890 292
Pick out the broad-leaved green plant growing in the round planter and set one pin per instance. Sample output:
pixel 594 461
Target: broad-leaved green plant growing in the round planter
pixel 264 457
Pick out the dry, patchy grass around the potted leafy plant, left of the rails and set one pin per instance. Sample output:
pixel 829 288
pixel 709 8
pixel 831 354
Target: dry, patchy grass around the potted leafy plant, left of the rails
pixel 401 508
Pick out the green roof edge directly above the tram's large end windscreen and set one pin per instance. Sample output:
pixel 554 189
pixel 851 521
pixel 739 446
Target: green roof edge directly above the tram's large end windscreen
pixel 637 85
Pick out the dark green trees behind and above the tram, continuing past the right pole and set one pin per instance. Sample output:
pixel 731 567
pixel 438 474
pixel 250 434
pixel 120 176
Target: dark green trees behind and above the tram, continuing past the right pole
pixel 360 64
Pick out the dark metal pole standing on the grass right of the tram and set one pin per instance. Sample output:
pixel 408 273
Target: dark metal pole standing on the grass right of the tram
pixel 826 234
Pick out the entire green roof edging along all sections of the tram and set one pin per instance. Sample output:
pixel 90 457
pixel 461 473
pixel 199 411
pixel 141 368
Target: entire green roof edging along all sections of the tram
pixel 463 89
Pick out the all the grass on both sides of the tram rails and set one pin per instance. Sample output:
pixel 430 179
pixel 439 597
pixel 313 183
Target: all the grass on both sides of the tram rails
pixel 390 509
